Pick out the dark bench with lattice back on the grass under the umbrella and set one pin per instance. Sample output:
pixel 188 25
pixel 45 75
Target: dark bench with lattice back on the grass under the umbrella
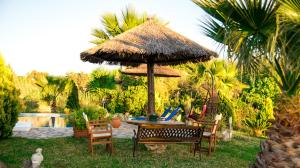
pixel 166 134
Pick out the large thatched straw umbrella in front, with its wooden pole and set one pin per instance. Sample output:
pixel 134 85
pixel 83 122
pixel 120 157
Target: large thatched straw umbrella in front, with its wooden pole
pixel 149 43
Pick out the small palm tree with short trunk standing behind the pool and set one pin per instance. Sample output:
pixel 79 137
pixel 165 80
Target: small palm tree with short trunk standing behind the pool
pixel 51 88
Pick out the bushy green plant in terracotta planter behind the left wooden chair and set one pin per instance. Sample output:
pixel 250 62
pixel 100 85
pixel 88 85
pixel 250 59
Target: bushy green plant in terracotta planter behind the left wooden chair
pixel 79 124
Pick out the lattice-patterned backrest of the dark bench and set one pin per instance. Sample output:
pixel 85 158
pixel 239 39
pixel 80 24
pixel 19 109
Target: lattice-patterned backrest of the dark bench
pixel 169 133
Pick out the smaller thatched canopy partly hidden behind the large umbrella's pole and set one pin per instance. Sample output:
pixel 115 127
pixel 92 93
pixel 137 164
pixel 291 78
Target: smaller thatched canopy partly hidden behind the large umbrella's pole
pixel 159 71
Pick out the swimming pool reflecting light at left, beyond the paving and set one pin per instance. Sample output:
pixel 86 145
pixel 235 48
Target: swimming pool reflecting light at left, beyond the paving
pixel 36 120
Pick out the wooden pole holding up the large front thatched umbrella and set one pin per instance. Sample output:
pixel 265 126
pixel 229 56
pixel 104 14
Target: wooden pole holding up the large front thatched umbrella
pixel 151 96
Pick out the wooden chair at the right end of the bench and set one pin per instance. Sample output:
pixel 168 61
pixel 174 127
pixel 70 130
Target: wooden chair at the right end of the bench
pixel 210 133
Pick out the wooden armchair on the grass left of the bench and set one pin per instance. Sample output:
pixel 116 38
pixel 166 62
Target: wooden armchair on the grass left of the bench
pixel 99 132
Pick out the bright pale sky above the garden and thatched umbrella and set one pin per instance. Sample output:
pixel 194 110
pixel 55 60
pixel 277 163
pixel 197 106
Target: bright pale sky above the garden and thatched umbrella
pixel 49 35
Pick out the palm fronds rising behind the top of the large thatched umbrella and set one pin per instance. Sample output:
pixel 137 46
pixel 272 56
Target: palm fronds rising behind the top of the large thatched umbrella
pixel 114 25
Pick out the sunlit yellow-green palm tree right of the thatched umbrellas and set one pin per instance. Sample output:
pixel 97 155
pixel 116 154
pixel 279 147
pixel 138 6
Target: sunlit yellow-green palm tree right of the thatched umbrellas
pixel 226 85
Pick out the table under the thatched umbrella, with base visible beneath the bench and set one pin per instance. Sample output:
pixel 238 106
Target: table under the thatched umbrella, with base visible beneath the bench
pixel 155 148
